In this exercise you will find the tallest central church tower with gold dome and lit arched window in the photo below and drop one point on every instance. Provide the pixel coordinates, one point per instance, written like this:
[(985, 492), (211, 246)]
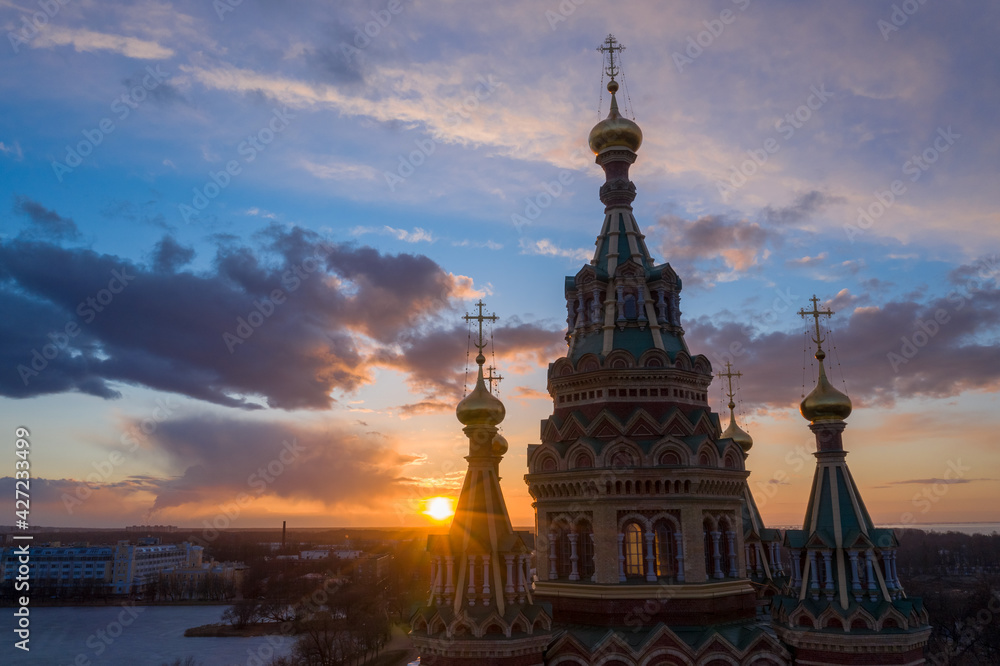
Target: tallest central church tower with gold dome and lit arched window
[(646, 544)]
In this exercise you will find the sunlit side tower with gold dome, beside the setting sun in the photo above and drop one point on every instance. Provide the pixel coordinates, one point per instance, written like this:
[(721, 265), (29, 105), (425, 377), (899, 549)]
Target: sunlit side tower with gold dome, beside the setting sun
[(481, 606)]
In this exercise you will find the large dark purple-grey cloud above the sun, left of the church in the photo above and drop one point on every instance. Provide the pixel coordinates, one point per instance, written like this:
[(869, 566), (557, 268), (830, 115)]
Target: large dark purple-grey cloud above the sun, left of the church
[(214, 335)]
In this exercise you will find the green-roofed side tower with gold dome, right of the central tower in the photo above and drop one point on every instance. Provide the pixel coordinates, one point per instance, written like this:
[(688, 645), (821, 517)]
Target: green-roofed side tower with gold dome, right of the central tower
[(843, 603)]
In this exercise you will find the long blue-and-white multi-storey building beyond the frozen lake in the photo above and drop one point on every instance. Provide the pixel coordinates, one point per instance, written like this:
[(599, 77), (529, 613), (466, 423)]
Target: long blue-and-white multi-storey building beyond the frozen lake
[(120, 569)]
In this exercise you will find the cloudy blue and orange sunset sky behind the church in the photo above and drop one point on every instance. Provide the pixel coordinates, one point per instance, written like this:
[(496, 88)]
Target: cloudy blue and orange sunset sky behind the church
[(358, 174)]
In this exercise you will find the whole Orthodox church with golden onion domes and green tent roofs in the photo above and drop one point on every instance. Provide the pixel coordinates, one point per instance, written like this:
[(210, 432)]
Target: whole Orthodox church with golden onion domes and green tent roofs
[(649, 548)]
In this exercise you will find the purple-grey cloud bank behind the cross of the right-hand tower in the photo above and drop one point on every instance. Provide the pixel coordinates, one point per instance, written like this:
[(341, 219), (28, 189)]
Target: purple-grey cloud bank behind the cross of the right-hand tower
[(940, 347)]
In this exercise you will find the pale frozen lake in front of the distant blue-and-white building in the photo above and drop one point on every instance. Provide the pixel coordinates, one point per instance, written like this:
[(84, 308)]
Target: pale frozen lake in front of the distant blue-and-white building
[(154, 635)]
